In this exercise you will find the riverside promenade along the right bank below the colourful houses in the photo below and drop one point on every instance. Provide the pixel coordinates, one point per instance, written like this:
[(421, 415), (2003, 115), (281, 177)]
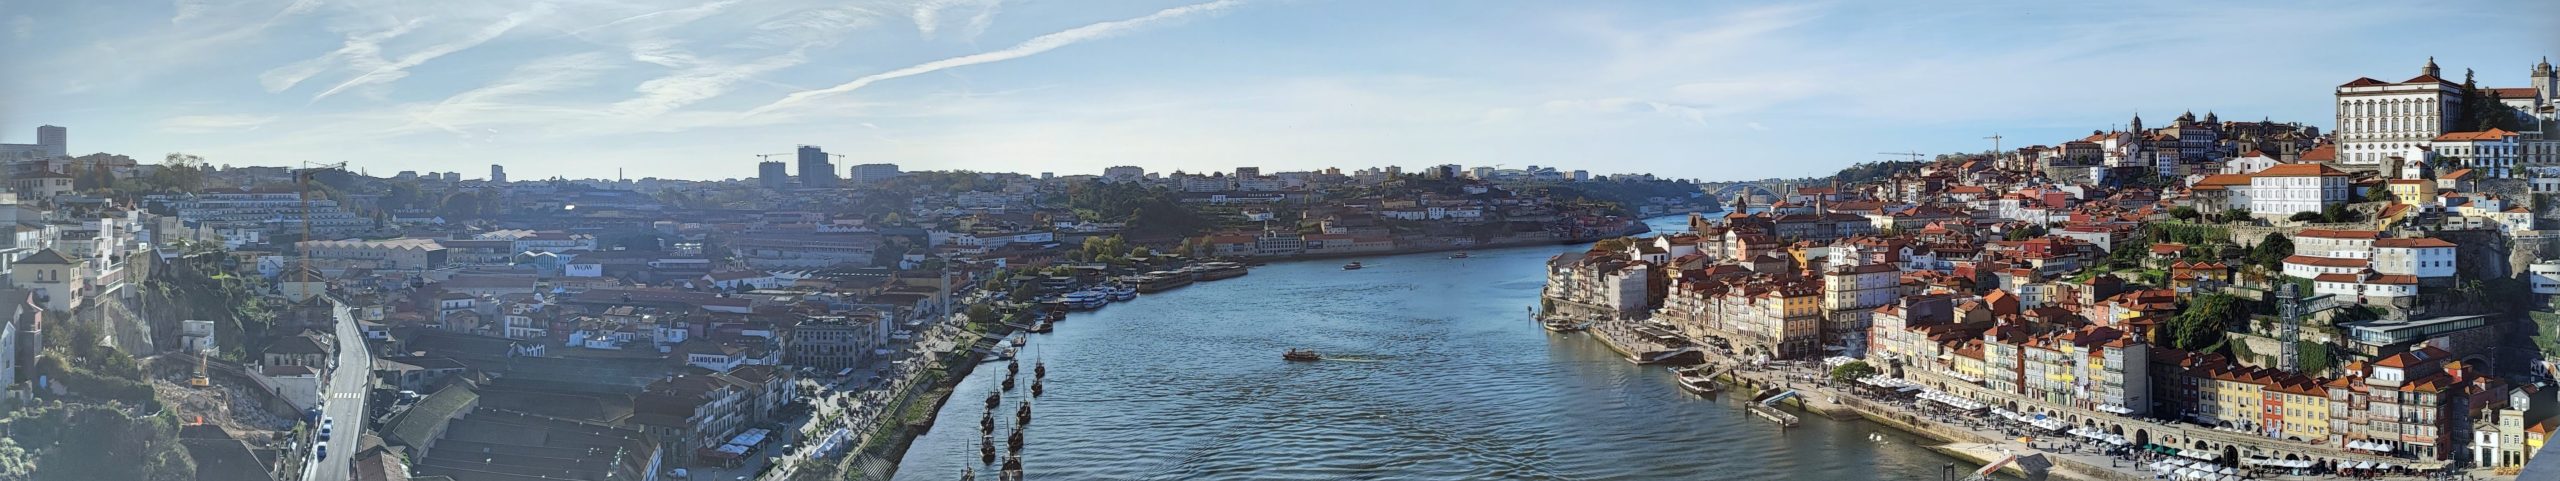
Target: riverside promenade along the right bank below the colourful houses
[(1975, 439)]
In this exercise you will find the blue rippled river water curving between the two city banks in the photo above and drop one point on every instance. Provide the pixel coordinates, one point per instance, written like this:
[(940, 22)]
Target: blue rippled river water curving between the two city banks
[(1432, 372)]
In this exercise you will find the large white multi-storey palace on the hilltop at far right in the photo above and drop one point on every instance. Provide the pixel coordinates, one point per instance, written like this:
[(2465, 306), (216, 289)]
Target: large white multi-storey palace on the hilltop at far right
[(2382, 119)]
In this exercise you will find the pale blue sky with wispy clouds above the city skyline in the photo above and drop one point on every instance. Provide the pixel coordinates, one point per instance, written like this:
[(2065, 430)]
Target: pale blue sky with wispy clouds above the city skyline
[(700, 88)]
